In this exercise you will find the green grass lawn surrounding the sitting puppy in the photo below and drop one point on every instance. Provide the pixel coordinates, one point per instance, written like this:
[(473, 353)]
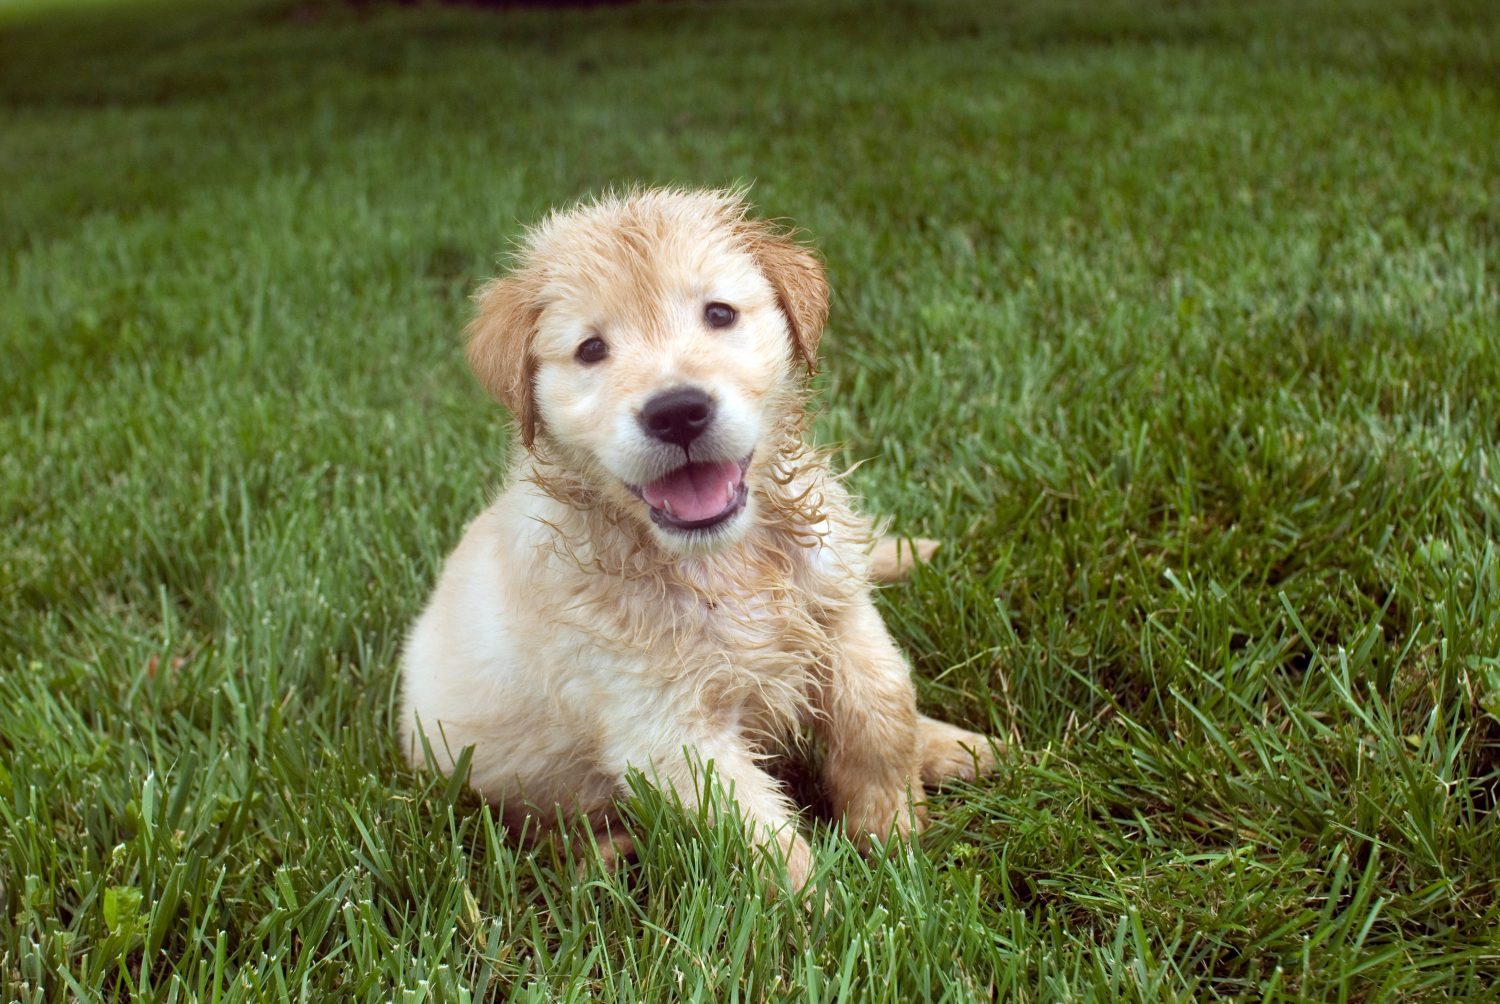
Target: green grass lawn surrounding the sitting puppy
[(1180, 323)]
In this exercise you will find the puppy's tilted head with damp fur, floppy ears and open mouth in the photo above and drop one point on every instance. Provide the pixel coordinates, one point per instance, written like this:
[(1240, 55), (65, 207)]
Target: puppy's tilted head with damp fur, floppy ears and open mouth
[(656, 344)]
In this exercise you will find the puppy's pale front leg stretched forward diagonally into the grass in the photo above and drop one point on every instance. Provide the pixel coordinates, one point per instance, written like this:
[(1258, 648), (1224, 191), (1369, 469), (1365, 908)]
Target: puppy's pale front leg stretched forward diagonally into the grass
[(676, 762)]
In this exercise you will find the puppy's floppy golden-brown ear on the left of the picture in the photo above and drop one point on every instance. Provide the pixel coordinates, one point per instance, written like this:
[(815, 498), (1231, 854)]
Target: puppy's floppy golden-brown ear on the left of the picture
[(500, 349)]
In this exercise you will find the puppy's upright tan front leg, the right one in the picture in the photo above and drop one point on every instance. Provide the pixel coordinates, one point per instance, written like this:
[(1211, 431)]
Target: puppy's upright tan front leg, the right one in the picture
[(868, 717)]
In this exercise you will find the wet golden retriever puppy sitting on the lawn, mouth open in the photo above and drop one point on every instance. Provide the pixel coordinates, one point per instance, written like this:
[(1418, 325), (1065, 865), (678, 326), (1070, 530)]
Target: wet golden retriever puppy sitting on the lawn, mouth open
[(671, 577)]
